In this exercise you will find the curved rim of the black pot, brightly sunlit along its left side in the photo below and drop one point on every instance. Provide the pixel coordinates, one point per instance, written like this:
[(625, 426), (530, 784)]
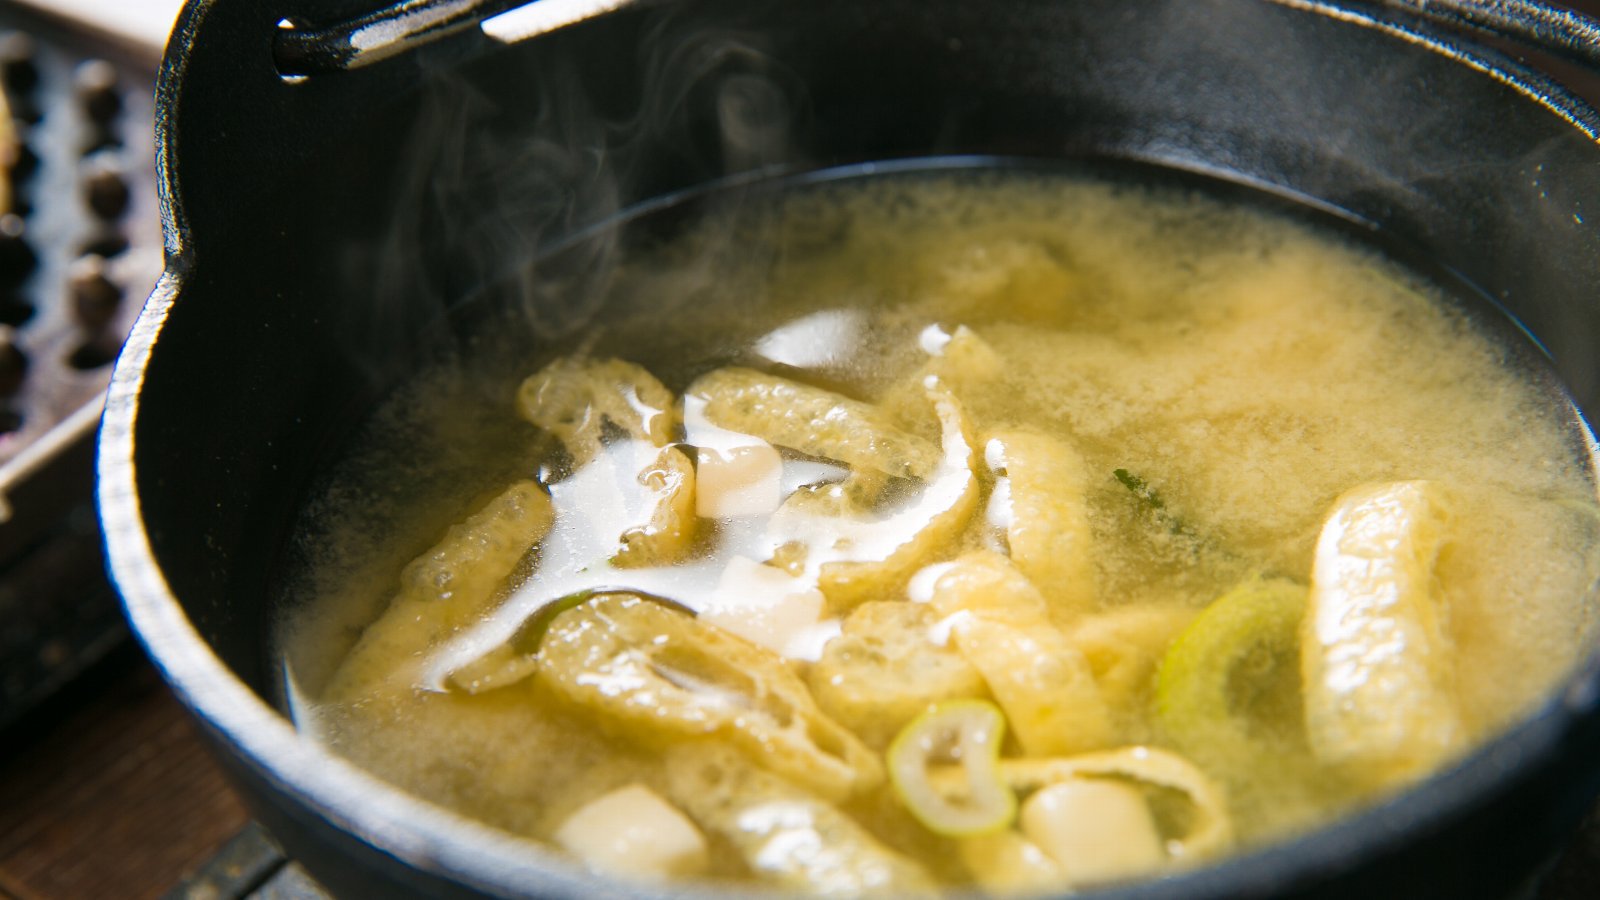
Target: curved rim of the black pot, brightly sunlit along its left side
[(444, 843)]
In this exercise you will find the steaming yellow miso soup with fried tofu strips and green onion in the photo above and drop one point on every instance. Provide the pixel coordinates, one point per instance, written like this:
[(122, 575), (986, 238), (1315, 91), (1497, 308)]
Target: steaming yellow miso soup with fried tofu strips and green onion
[(1010, 532)]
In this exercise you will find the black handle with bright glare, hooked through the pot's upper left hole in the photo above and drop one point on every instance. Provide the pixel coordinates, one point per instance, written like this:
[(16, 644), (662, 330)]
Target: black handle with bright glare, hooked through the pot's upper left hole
[(305, 52)]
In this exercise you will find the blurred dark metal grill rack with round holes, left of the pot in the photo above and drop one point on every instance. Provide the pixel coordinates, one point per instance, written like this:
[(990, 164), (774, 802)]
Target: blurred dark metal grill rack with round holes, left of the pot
[(81, 247)]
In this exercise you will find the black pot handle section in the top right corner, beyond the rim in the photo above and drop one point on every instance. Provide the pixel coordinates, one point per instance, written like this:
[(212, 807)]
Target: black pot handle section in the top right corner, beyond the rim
[(1537, 26)]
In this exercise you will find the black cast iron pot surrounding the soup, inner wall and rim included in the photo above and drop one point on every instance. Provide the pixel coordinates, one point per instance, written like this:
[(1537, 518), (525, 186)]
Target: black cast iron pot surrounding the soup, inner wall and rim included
[(334, 179)]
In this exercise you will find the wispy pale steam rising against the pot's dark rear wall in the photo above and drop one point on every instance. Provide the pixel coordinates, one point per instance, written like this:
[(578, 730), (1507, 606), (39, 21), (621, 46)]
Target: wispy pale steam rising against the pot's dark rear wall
[(511, 198)]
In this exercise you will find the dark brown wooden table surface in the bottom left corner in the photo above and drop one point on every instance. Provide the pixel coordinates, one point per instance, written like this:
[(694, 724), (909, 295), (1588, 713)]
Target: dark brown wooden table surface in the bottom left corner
[(110, 794)]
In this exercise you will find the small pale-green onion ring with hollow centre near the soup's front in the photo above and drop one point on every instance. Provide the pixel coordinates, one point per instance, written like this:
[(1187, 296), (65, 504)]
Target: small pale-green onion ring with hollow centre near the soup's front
[(964, 736)]
